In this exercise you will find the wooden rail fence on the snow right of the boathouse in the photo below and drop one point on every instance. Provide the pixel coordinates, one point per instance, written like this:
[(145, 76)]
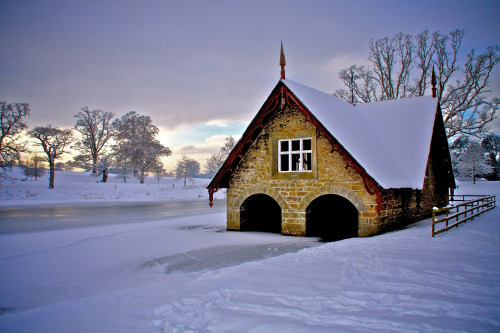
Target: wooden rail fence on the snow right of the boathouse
[(467, 210)]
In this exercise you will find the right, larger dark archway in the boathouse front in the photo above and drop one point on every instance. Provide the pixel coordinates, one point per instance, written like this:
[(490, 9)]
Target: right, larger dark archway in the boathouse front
[(331, 217)]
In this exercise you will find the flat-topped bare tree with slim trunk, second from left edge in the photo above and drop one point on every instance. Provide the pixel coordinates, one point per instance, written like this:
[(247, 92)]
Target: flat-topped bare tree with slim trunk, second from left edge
[(54, 141)]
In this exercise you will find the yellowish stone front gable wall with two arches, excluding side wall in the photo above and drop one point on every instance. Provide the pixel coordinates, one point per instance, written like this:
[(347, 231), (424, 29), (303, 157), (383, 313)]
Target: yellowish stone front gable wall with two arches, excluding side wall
[(294, 191)]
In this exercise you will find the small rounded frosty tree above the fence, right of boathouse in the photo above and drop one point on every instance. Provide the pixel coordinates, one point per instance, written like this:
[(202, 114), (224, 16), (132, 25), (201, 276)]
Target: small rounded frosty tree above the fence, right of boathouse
[(473, 161)]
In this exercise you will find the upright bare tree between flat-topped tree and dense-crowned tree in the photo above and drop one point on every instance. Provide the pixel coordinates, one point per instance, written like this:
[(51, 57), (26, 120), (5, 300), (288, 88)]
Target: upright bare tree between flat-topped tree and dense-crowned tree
[(95, 127)]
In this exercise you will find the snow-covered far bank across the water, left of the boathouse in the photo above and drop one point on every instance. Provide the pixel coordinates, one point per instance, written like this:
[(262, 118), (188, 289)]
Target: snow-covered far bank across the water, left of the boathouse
[(73, 186)]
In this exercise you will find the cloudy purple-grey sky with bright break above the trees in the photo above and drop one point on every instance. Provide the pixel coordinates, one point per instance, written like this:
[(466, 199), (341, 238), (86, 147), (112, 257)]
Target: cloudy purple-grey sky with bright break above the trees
[(201, 69)]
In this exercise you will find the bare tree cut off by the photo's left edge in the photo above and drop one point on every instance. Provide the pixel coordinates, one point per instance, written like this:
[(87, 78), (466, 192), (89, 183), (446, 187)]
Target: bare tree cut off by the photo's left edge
[(12, 123)]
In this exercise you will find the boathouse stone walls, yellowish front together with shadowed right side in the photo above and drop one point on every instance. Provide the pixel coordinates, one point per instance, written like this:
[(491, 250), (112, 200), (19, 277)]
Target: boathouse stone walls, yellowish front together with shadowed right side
[(294, 191)]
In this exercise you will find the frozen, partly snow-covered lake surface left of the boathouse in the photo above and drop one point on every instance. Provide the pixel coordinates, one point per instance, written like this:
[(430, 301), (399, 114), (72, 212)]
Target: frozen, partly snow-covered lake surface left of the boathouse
[(66, 252)]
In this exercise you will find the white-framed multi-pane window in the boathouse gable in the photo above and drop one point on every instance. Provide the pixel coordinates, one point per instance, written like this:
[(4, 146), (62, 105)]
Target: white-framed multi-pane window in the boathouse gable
[(295, 155)]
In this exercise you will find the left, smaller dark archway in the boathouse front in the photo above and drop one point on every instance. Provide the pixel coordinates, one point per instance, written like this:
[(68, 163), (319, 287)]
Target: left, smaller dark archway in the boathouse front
[(260, 212)]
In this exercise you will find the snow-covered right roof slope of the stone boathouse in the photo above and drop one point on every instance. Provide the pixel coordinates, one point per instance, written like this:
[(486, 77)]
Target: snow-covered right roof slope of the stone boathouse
[(390, 139)]
